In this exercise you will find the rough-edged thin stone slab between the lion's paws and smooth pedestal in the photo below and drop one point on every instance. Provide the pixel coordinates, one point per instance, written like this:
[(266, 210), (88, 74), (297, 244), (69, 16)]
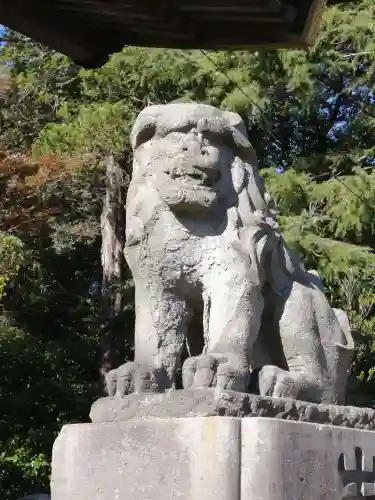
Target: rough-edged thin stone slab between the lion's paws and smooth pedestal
[(209, 402)]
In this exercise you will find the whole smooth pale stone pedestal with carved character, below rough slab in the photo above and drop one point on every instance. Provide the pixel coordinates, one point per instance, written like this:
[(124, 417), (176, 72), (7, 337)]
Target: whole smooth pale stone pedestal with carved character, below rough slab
[(212, 458)]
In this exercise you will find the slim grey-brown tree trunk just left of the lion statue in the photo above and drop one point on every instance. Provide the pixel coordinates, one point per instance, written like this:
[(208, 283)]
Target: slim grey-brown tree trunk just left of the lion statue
[(112, 256)]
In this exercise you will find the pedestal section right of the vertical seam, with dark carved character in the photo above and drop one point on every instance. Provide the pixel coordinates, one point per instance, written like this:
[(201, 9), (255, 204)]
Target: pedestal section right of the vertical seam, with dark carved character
[(288, 460)]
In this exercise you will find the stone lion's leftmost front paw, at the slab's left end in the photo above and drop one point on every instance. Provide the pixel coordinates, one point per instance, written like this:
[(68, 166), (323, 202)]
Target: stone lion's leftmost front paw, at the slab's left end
[(136, 377)]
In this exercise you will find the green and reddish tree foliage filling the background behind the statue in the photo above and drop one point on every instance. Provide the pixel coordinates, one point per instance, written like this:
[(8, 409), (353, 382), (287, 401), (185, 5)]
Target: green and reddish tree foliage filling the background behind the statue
[(311, 118)]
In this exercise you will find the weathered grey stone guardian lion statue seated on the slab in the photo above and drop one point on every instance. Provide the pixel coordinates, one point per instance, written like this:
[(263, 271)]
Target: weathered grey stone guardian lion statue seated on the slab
[(218, 295)]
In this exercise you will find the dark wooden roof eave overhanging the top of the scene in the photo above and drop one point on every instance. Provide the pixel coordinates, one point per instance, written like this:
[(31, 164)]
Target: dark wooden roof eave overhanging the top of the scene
[(90, 30)]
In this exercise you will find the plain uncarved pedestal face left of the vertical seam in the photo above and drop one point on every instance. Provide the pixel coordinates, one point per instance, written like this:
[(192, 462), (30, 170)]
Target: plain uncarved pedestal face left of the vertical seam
[(188, 459)]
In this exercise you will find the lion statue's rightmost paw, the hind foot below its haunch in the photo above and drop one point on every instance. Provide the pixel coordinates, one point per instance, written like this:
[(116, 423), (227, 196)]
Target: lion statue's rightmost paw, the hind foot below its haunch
[(275, 382)]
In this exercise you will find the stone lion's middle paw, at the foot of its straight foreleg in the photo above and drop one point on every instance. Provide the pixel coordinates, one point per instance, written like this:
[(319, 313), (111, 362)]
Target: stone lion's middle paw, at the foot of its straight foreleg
[(215, 370)]
